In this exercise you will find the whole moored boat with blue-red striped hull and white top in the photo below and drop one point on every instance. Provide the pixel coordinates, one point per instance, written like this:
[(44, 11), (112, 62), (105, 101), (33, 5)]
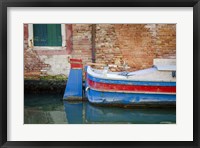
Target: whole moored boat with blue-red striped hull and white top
[(153, 87)]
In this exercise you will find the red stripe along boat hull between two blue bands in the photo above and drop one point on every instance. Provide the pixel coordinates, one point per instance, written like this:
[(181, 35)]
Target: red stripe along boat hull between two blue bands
[(137, 88)]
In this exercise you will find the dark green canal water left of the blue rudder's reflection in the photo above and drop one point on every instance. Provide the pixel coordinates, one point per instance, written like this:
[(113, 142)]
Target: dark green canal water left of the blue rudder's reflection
[(44, 109)]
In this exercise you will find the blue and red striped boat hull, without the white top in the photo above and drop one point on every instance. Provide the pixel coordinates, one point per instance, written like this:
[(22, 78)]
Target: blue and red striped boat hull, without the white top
[(130, 92)]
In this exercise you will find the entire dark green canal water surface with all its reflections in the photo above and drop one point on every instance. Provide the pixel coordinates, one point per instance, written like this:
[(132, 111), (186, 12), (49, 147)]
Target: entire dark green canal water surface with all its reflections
[(51, 109)]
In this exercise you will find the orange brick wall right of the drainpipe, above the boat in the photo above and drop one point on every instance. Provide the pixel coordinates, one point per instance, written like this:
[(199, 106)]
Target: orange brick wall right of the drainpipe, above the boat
[(135, 44)]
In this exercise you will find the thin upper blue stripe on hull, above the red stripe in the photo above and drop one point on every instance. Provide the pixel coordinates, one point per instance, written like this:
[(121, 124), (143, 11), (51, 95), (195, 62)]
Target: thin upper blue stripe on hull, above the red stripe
[(128, 82)]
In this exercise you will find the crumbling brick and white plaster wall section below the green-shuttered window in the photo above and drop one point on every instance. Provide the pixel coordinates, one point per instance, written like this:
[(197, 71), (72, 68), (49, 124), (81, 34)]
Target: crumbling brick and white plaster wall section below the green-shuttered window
[(45, 63)]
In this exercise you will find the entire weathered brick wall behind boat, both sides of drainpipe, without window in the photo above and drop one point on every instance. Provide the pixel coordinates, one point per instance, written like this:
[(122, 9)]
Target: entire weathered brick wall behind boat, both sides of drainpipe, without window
[(135, 44)]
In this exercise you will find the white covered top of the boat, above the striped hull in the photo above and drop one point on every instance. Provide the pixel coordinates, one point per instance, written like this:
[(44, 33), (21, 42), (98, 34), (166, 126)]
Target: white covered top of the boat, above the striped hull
[(162, 71)]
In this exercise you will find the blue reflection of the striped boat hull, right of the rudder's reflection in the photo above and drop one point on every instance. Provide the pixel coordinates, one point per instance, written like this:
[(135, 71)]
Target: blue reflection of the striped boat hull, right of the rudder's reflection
[(96, 114)]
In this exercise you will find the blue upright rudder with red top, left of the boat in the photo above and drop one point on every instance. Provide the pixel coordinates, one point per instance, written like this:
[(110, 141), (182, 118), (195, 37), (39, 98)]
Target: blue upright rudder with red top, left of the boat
[(74, 89)]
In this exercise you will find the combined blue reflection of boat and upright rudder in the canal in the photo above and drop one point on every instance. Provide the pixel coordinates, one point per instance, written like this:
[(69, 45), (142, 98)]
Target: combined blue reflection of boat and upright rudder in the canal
[(86, 113)]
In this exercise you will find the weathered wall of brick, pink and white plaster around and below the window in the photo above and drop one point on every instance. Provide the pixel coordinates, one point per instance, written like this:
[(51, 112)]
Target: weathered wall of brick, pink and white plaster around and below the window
[(39, 62)]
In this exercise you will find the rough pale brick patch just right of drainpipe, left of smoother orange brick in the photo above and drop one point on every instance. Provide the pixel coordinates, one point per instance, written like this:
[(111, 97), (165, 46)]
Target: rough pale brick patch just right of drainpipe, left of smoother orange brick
[(107, 44)]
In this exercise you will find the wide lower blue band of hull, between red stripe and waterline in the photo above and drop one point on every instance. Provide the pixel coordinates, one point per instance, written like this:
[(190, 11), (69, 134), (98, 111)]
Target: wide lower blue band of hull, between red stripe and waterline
[(99, 97)]
